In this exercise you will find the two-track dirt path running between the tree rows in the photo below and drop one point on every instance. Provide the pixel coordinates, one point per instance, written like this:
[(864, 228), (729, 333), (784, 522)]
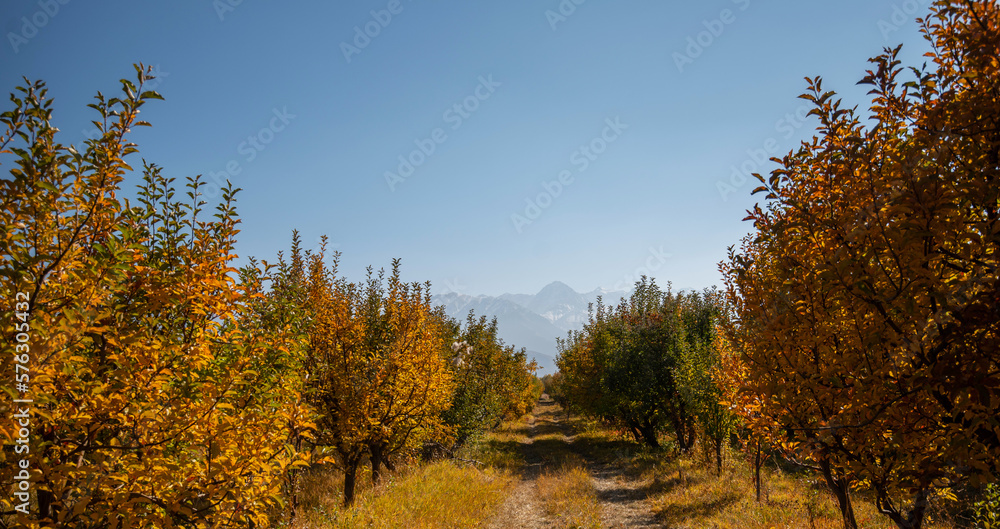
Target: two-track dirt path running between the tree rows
[(622, 497)]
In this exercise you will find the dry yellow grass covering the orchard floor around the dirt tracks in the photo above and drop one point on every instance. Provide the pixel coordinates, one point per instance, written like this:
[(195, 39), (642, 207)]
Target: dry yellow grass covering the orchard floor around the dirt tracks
[(681, 492)]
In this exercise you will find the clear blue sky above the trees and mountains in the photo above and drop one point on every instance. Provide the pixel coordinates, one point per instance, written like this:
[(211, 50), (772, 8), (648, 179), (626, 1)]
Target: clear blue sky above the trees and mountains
[(493, 146)]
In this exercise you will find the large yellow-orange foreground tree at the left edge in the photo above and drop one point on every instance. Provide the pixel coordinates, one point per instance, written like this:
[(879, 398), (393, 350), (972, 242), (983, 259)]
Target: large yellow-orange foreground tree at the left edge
[(152, 403)]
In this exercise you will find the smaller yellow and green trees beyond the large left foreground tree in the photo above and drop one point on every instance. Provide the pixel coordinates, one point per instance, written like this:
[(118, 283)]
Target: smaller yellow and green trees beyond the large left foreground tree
[(388, 372)]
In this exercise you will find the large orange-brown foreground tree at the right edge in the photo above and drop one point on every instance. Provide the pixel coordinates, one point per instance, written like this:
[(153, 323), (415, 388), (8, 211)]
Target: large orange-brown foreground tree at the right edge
[(867, 302)]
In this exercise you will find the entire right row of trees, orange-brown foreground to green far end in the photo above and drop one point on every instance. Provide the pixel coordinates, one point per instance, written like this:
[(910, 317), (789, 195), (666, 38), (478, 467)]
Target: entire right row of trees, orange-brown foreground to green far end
[(859, 331)]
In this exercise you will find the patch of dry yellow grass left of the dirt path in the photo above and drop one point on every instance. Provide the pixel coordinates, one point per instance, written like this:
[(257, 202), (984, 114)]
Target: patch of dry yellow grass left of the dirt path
[(441, 494)]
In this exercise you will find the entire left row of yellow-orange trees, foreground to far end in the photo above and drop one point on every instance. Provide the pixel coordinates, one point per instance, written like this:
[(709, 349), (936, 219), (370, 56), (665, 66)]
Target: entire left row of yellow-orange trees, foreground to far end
[(159, 386)]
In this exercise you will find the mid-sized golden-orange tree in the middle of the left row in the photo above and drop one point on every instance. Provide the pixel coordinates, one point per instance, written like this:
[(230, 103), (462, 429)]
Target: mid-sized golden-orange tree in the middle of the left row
[(376, 372)]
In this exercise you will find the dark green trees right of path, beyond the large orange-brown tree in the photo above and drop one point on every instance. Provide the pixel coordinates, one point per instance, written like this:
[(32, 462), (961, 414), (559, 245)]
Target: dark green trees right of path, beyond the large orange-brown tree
[(646, 366)]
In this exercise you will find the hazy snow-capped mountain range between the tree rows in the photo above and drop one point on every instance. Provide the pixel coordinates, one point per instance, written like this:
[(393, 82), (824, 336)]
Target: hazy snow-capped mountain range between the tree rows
[(532, 321)]
